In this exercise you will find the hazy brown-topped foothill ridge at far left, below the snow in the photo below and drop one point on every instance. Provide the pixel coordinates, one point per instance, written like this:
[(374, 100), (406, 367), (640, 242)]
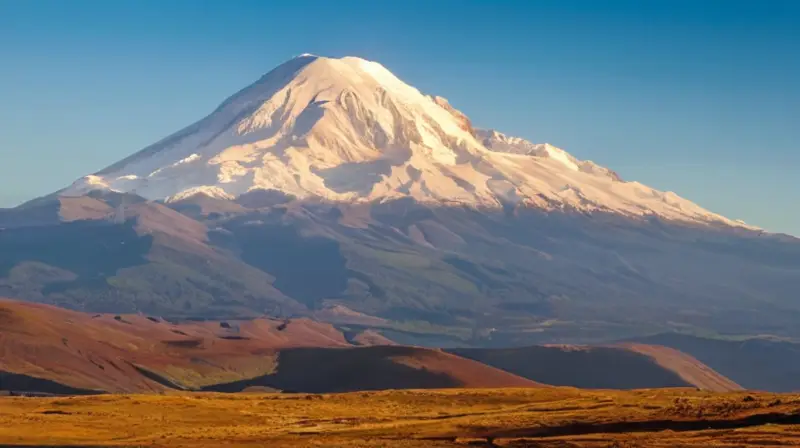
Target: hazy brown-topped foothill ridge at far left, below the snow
[(134, 256)]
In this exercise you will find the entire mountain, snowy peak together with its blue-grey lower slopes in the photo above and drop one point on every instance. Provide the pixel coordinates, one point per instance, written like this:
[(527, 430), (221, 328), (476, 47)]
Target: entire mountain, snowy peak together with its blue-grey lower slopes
[(331, 185)]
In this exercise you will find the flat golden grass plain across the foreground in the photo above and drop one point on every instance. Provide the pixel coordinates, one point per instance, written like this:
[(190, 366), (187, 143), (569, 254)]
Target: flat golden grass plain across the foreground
[(455, 417)]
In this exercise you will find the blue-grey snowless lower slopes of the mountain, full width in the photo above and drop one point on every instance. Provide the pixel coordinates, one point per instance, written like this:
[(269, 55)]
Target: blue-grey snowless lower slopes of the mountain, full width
[(446, 274)]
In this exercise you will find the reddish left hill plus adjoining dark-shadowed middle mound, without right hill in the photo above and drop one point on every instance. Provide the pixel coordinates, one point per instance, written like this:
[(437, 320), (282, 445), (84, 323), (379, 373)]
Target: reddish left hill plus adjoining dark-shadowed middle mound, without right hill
[(49, 349)]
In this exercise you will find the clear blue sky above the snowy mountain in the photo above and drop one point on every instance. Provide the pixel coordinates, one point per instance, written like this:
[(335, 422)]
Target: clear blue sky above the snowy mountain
[(700, 97)]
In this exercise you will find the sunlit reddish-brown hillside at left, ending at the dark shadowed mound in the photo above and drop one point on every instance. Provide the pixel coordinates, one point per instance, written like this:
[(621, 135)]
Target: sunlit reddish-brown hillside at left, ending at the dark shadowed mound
[(131, 353)]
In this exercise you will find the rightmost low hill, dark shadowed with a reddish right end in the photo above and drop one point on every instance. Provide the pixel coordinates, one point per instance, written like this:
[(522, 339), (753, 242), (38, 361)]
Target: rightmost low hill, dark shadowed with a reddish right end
[(629, 366)]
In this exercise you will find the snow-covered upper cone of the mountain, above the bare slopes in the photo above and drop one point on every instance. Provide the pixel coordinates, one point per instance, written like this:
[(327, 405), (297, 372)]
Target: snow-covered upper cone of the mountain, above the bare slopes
[(348, 130)]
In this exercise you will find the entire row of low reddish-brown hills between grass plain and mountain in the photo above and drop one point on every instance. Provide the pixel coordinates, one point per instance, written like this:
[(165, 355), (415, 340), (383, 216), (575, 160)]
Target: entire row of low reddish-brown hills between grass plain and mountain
[(53, 350)]
